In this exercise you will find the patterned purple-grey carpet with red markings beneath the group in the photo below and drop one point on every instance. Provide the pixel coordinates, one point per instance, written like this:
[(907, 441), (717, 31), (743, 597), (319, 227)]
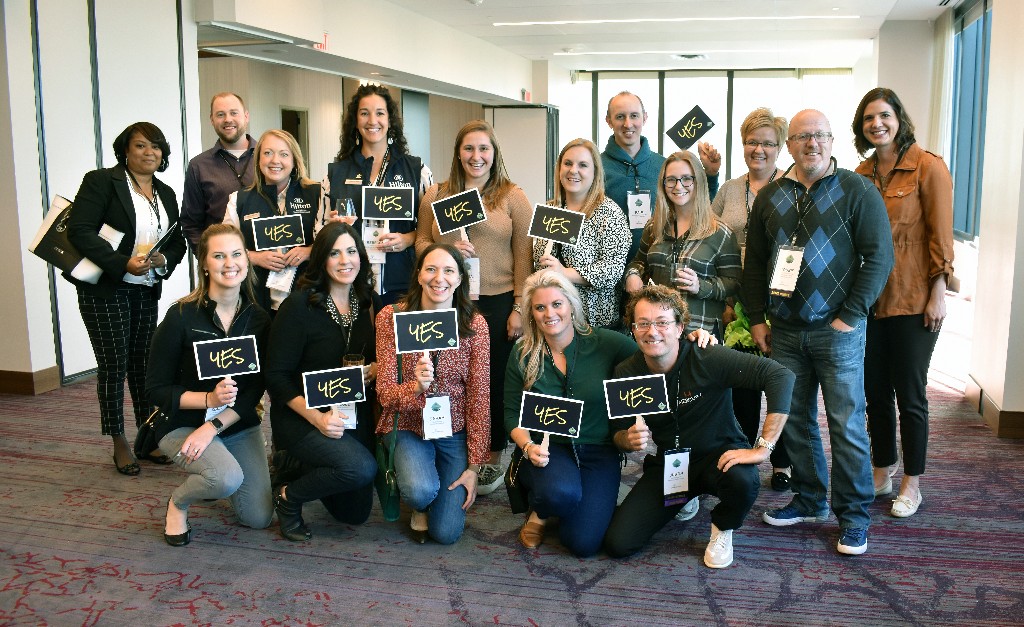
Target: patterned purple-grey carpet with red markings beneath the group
[(81, 546)]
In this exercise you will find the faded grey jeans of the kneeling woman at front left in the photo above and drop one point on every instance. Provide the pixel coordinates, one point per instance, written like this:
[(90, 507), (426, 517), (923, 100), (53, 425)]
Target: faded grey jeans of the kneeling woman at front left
[(232, 468)]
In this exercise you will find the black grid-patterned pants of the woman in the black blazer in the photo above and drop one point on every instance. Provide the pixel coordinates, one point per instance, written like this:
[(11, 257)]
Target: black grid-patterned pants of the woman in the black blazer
[(120, 329)]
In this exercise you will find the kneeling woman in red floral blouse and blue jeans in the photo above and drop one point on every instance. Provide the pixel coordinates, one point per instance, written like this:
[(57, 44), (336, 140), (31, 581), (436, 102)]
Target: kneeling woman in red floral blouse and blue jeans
[(438, 476)]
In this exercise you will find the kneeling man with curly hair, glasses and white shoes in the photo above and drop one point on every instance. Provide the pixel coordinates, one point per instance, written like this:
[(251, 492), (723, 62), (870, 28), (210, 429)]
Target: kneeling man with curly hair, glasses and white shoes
[(700, 432)]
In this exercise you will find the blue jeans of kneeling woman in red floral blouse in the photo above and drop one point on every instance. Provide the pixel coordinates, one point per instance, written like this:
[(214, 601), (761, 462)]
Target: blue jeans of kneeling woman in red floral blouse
[(425, 470)]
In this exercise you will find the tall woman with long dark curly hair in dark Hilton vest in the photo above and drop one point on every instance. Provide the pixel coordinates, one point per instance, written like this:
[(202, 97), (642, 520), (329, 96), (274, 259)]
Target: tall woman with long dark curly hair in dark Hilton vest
[(374, 152)]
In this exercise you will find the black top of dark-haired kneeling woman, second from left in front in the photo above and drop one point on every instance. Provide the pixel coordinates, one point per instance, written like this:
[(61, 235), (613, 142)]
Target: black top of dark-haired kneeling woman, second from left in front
[(306, 339)]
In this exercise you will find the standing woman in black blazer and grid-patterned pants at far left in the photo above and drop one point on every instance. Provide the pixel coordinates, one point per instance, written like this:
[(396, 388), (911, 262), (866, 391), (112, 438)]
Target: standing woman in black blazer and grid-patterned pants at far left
[(119, 214)]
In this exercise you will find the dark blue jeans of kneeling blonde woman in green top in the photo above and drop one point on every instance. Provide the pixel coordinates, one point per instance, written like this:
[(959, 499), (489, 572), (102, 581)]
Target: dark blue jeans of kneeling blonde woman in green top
[(580, 486)]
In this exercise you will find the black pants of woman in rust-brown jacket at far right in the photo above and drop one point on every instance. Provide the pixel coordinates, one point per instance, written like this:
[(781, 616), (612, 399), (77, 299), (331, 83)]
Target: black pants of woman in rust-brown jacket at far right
[(897, 360)]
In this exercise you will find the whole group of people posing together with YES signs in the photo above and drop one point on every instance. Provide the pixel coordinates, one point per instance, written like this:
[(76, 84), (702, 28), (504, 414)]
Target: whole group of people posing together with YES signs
[(803, 258)]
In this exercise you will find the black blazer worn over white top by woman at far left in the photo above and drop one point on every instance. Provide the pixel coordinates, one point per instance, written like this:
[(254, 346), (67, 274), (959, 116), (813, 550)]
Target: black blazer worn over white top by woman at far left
[(105, 198)]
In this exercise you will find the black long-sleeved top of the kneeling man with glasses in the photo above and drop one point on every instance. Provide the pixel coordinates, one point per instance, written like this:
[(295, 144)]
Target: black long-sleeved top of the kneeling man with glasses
[(700, 387)]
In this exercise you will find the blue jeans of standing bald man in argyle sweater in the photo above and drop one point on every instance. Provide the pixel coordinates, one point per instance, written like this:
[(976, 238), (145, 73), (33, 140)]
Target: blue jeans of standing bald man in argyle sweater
[(836, 362)]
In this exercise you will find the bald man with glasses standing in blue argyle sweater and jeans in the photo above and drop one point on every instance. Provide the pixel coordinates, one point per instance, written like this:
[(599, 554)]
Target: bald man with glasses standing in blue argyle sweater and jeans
[(819, 254)]
